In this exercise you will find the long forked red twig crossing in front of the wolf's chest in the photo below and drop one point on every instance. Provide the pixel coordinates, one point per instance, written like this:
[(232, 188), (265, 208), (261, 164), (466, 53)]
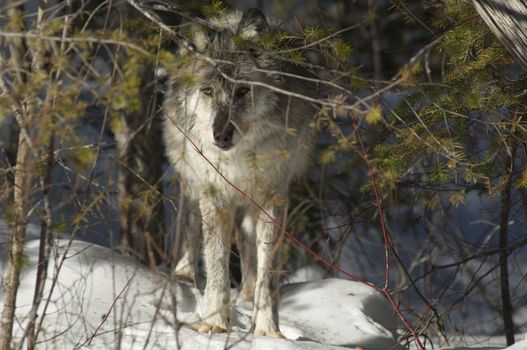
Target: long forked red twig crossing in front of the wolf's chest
[(318, 257)]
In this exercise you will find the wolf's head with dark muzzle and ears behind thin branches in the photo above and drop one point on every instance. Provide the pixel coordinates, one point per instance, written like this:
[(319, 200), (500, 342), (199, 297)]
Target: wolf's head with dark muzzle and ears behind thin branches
[(229, 96)]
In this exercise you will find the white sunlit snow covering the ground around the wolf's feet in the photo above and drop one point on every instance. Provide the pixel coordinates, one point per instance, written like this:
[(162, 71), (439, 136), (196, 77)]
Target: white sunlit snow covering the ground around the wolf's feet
[(102, 299)]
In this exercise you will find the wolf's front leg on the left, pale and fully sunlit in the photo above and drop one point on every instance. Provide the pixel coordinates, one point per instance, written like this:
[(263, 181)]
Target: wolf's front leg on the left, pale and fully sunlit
[(217, 229)]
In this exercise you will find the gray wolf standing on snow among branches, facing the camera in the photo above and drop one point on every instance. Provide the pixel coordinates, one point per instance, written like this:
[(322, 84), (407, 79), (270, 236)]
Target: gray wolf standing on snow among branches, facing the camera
[(225, 119)]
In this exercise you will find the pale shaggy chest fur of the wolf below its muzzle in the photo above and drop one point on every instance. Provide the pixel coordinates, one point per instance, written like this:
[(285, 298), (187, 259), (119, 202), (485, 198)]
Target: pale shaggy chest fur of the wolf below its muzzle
[(258, 169)]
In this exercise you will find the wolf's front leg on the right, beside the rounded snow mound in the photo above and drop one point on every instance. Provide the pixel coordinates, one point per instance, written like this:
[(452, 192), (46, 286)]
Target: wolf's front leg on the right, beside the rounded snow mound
[(265, 317)]
